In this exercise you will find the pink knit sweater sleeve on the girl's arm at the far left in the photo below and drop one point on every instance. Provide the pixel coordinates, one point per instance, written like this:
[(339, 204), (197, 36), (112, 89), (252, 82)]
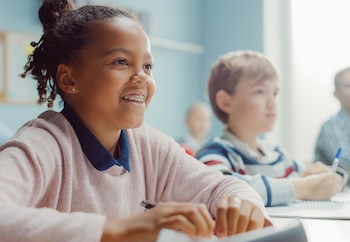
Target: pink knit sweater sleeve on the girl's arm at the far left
[(26, 174)]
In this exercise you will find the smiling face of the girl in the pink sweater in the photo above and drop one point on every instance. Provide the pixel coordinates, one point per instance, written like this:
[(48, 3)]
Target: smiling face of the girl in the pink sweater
[(114, 82)]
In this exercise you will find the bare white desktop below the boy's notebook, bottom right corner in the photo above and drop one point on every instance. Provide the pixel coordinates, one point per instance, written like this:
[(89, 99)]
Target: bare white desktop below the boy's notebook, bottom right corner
[(319, 230)]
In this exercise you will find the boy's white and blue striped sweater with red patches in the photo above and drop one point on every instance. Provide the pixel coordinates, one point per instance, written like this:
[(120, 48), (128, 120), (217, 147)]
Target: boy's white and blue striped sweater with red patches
[(234, 157)]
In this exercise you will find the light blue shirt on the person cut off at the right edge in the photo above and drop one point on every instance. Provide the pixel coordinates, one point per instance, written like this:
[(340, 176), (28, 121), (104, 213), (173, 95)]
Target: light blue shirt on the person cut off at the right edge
[(334, 133)]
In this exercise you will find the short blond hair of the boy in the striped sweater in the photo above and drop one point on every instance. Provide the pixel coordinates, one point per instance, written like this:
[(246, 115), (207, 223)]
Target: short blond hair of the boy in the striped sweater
[(230, 68)]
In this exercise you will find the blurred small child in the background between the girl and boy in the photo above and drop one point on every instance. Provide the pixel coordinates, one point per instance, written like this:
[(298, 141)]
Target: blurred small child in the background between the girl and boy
[(198, 124)]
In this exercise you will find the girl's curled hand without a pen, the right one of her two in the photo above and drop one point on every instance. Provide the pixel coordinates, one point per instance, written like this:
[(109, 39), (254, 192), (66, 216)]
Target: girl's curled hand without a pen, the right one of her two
[(236, 215)]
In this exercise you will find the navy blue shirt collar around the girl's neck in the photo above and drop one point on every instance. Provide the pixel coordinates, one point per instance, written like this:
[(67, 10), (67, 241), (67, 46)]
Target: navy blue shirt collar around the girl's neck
[(99, 157)]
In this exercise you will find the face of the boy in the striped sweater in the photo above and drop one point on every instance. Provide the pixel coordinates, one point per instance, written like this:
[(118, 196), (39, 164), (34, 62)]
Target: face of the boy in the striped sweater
[(253, 106)]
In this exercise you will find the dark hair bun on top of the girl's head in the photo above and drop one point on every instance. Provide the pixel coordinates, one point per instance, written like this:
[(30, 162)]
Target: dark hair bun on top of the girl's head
[(51, 10)]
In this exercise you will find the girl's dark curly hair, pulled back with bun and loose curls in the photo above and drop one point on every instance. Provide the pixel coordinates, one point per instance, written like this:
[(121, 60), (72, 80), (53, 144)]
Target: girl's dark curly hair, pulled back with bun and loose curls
[(66, 31)]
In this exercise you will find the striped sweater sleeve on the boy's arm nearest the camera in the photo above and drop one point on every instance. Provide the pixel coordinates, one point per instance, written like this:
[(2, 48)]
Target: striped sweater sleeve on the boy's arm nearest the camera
[(273, 191)]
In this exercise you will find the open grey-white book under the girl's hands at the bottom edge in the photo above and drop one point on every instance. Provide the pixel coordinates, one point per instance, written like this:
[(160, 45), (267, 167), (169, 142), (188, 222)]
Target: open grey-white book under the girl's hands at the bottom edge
[(290, 232)]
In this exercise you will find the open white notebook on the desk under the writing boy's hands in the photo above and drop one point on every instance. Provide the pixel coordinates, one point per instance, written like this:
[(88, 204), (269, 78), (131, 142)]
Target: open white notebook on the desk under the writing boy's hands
[(338, 208)]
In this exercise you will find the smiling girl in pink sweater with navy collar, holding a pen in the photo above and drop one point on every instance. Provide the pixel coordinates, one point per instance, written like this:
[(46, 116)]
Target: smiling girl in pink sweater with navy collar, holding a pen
[(82, 173)]
